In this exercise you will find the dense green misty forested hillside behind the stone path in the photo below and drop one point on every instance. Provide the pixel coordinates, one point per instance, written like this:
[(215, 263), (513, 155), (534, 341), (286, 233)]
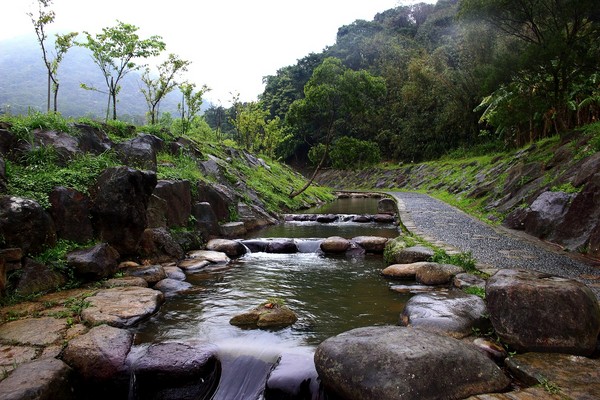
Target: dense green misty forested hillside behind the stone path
[(419, 81)]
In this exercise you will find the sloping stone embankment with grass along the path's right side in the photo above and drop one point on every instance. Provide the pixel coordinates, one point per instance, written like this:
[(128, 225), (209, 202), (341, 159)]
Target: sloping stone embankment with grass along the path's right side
[(548, 190)]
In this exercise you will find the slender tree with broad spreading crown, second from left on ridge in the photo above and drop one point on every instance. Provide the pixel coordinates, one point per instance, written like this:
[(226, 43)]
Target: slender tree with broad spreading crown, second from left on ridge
[(115, 51)]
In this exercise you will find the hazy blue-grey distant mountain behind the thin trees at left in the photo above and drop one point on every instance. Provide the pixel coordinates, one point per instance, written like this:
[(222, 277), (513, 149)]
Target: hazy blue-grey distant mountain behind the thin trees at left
[(23, 84)]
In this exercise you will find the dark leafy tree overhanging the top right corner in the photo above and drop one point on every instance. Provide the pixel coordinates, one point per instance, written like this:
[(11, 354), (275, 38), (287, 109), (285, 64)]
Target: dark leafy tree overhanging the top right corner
[(556, 39)]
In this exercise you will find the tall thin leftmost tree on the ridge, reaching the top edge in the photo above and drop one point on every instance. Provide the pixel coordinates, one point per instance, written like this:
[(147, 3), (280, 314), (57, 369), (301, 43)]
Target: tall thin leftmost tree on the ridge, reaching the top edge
[(62, 44)]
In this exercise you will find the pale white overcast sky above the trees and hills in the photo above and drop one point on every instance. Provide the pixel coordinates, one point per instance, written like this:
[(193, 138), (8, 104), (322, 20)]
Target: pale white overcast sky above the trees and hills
[(232, 43)]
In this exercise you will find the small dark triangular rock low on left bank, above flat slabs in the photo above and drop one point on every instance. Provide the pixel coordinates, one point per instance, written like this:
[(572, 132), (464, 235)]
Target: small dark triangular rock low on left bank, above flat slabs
[(36, 277)]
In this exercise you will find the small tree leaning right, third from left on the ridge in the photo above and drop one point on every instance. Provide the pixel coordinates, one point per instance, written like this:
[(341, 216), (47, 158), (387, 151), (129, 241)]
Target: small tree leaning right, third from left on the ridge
[(157, 88)]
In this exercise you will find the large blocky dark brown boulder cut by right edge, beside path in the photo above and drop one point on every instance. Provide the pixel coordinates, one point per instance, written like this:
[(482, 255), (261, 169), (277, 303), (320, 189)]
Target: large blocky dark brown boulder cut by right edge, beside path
[(531, 311)]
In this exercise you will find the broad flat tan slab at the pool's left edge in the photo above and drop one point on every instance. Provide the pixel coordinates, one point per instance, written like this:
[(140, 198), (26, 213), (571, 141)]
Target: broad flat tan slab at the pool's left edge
[(122, 307)]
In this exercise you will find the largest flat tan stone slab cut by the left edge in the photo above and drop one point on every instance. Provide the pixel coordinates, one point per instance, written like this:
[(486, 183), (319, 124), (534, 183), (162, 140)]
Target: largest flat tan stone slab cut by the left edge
[(33, 331)]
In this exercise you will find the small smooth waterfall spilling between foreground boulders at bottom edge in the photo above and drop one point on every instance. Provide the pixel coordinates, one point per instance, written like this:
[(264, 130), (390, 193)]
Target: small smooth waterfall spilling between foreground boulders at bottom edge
[(244, 370)]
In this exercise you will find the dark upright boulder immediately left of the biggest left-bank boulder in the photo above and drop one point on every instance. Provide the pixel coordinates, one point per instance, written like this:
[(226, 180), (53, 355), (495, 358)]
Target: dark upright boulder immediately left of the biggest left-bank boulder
[(70, 211)]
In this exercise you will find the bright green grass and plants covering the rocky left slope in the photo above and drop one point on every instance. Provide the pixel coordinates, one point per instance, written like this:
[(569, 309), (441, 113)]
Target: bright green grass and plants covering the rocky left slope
[(38, 171)]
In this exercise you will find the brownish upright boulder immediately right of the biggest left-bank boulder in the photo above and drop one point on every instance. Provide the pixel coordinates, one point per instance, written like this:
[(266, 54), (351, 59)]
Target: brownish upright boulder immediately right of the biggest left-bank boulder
[(179, 201)]
